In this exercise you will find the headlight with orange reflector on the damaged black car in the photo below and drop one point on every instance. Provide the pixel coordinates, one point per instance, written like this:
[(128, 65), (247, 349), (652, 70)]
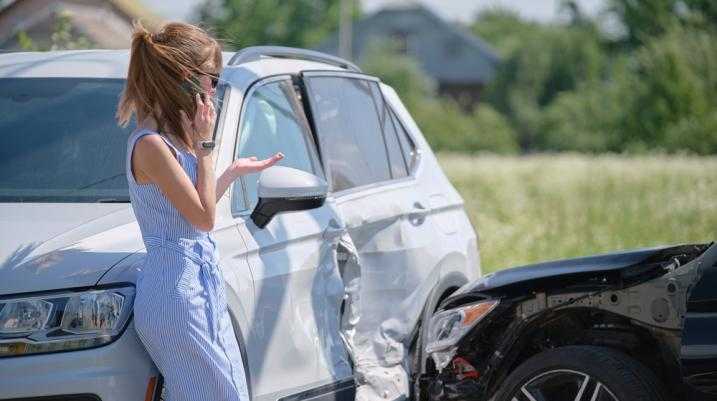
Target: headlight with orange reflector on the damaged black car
[(447, 327)]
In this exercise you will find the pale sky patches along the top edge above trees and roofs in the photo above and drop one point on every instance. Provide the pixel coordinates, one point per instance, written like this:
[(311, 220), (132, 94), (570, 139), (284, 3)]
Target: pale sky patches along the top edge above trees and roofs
[(461, 10)]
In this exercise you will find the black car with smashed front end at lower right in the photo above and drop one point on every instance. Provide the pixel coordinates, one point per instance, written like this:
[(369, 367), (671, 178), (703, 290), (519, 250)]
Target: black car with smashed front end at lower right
[(635, 325)]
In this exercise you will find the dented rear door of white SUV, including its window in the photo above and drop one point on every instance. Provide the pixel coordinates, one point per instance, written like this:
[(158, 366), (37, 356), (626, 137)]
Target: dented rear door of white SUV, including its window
[(373, 183)]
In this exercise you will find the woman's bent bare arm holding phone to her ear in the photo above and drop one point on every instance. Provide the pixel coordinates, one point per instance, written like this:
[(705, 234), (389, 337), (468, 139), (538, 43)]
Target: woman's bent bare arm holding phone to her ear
[(154, 159)]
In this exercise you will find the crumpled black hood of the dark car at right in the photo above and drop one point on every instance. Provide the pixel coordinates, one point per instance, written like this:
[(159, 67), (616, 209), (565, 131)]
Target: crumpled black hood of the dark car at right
[(629, 267)]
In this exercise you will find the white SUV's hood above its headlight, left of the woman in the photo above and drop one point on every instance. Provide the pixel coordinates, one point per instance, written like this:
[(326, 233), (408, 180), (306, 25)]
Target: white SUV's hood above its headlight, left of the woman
[(46, 246)]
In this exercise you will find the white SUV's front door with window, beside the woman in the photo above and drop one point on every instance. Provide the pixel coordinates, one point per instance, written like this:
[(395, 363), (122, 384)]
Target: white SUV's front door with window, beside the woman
[(293, 343)]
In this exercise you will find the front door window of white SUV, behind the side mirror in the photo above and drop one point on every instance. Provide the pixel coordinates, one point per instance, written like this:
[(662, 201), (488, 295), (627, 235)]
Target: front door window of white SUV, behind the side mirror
[(273, 121)]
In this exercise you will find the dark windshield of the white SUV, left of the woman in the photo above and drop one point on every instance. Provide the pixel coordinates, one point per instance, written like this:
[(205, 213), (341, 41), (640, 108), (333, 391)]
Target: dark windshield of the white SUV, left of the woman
[(60, 141)]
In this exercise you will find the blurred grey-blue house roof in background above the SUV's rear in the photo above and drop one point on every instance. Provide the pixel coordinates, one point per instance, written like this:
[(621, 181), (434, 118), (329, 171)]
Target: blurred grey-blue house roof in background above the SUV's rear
[(447, 52)]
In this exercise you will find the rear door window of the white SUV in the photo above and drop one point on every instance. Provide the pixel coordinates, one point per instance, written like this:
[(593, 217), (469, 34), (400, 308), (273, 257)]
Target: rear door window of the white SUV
[(349, 131)]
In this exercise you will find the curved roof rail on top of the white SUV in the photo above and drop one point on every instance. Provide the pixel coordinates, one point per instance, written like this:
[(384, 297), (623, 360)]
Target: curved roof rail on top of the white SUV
[(254, 53)]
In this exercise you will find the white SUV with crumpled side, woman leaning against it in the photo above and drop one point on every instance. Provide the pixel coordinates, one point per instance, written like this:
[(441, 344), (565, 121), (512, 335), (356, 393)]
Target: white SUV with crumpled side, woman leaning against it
[(358, 181)]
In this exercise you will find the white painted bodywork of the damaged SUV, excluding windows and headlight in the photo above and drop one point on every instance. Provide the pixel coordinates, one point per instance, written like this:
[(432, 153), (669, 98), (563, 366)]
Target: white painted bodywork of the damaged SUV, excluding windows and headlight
[(411, 238)]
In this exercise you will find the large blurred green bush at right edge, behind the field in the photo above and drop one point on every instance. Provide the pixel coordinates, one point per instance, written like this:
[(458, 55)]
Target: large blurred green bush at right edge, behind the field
[(659, 98)]
